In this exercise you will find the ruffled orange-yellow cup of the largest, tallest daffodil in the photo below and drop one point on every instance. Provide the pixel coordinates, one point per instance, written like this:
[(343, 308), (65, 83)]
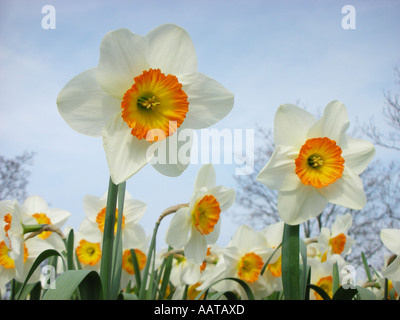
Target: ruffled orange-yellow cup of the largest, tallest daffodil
[(154, 102)]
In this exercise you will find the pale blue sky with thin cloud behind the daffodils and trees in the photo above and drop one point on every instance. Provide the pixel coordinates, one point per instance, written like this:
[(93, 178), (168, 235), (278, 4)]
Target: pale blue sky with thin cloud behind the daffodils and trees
[(266, 52)]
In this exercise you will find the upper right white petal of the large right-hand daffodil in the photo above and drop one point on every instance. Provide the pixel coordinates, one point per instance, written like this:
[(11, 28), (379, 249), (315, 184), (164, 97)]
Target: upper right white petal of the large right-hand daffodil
[(333, 123)]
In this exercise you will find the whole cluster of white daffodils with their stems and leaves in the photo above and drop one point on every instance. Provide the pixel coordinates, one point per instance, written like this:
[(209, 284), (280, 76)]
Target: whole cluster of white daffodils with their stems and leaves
[(145, 95)]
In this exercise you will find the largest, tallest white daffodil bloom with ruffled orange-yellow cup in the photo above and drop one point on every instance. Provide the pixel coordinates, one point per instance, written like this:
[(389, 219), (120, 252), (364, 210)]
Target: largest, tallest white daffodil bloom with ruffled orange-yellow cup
[(143, 91)]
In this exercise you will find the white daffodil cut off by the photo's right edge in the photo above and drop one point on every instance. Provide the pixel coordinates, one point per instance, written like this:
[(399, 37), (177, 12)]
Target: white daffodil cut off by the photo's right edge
[(391, 240)]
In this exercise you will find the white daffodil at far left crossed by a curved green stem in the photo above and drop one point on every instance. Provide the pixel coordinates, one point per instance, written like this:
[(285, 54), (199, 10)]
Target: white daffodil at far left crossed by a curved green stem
[(38, 210)]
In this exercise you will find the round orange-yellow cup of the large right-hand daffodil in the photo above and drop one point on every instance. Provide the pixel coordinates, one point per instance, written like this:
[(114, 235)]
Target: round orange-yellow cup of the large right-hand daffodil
[(319, 162)]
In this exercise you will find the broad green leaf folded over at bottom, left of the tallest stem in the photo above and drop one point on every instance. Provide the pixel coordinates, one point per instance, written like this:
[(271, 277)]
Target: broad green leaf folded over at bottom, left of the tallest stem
[(87, 281)]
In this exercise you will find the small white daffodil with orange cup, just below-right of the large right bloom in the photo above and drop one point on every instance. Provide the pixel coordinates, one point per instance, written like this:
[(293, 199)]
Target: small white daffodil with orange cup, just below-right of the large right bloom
[(336, 240)]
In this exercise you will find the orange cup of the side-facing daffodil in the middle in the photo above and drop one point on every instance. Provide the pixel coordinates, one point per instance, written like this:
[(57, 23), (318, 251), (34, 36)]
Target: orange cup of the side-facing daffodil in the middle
[(206, 214)]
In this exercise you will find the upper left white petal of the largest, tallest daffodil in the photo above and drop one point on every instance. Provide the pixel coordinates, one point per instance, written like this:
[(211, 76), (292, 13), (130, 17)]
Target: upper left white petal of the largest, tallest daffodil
[(122, 57)]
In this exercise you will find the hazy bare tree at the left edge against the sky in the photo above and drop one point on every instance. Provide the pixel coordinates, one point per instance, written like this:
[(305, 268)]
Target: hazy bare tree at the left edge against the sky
[(14, 176)]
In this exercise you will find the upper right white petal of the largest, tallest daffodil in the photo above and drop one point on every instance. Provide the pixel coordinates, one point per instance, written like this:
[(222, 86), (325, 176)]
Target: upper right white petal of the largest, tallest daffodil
[(171, 50)]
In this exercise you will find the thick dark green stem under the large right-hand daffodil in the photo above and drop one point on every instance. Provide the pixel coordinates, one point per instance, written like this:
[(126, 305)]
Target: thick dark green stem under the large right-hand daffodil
[(291, 262)]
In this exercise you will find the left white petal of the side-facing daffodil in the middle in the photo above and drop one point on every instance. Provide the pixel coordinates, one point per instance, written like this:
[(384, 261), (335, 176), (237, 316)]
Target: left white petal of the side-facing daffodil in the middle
[(178, 231)]
